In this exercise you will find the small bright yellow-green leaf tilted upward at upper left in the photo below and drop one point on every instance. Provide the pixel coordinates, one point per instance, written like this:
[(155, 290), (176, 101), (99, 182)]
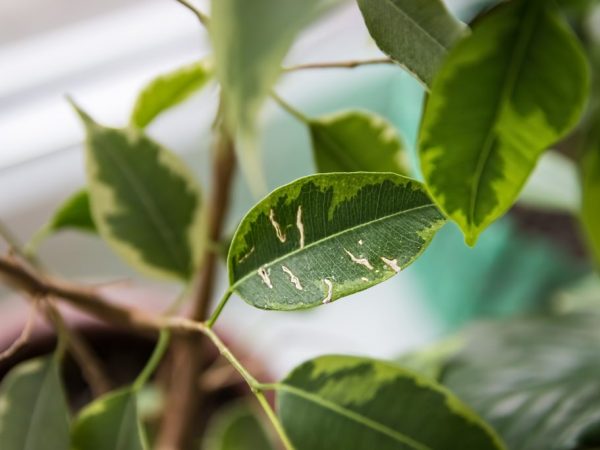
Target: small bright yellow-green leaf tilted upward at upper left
[(169, 90)]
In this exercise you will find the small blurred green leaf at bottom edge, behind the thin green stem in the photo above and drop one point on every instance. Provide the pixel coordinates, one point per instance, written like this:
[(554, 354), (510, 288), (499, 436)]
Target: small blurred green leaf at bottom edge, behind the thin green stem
[(237, 428)]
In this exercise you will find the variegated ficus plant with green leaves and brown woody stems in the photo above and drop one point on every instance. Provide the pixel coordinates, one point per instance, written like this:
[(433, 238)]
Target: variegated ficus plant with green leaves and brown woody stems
[(516, 81)]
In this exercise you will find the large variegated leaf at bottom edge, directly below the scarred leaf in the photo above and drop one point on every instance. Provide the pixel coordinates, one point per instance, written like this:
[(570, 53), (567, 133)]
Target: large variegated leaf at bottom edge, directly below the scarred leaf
[(355, 403)]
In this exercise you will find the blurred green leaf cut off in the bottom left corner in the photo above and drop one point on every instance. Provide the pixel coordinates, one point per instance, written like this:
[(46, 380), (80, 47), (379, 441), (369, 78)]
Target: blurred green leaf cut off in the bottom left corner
[(33, 410)]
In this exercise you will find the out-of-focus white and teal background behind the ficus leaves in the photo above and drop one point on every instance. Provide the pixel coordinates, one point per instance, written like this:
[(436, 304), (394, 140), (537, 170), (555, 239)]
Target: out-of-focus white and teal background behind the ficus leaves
[(103, 52)]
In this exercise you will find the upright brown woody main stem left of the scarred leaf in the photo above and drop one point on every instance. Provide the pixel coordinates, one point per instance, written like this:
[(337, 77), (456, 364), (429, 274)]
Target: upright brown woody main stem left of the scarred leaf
[(185, 396)]
